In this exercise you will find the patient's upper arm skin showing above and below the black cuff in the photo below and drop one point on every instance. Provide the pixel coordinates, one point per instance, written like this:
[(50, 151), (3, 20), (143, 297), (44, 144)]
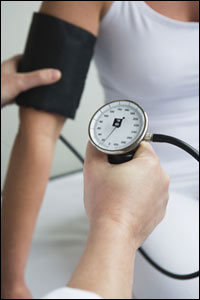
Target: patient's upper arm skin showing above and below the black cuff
[(85, 14)]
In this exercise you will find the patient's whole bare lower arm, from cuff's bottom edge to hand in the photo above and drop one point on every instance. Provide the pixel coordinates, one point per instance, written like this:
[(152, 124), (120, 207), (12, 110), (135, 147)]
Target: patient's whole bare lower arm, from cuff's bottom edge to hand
[(25, 185)]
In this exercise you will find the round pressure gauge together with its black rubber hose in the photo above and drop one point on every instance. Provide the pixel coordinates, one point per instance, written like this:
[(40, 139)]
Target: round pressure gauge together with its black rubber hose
[(117, 128)]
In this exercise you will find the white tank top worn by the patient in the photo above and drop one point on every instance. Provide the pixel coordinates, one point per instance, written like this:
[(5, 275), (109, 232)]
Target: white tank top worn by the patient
[(154, 60)]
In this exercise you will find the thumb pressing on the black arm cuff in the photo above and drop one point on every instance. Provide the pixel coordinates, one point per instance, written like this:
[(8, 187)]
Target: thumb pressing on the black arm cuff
[(38, 78)]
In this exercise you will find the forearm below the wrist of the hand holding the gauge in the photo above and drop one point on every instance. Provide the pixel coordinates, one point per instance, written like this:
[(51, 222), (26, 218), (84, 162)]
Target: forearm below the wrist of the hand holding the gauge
[(106, 267)]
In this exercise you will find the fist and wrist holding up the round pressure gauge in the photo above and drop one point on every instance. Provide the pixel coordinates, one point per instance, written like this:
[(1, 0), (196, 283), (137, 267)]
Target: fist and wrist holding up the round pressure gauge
[(122, 213)]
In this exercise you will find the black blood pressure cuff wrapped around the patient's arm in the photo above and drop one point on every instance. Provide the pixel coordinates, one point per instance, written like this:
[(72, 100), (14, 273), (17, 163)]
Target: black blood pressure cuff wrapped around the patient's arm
[(54, 43)]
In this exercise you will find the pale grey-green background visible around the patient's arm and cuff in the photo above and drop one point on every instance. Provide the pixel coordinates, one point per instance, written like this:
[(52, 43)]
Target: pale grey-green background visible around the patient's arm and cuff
[(15, 21)]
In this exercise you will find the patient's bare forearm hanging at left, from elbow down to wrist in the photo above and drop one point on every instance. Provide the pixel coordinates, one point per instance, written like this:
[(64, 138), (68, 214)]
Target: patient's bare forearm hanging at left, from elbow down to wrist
[(23, 193)]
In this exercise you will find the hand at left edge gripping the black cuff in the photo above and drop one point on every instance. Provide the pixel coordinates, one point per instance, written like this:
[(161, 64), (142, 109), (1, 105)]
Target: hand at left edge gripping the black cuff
[(13, 83)]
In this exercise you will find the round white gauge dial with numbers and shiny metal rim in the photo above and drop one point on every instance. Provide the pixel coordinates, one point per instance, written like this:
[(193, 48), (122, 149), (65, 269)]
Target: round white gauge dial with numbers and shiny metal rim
[(118, 127)]
